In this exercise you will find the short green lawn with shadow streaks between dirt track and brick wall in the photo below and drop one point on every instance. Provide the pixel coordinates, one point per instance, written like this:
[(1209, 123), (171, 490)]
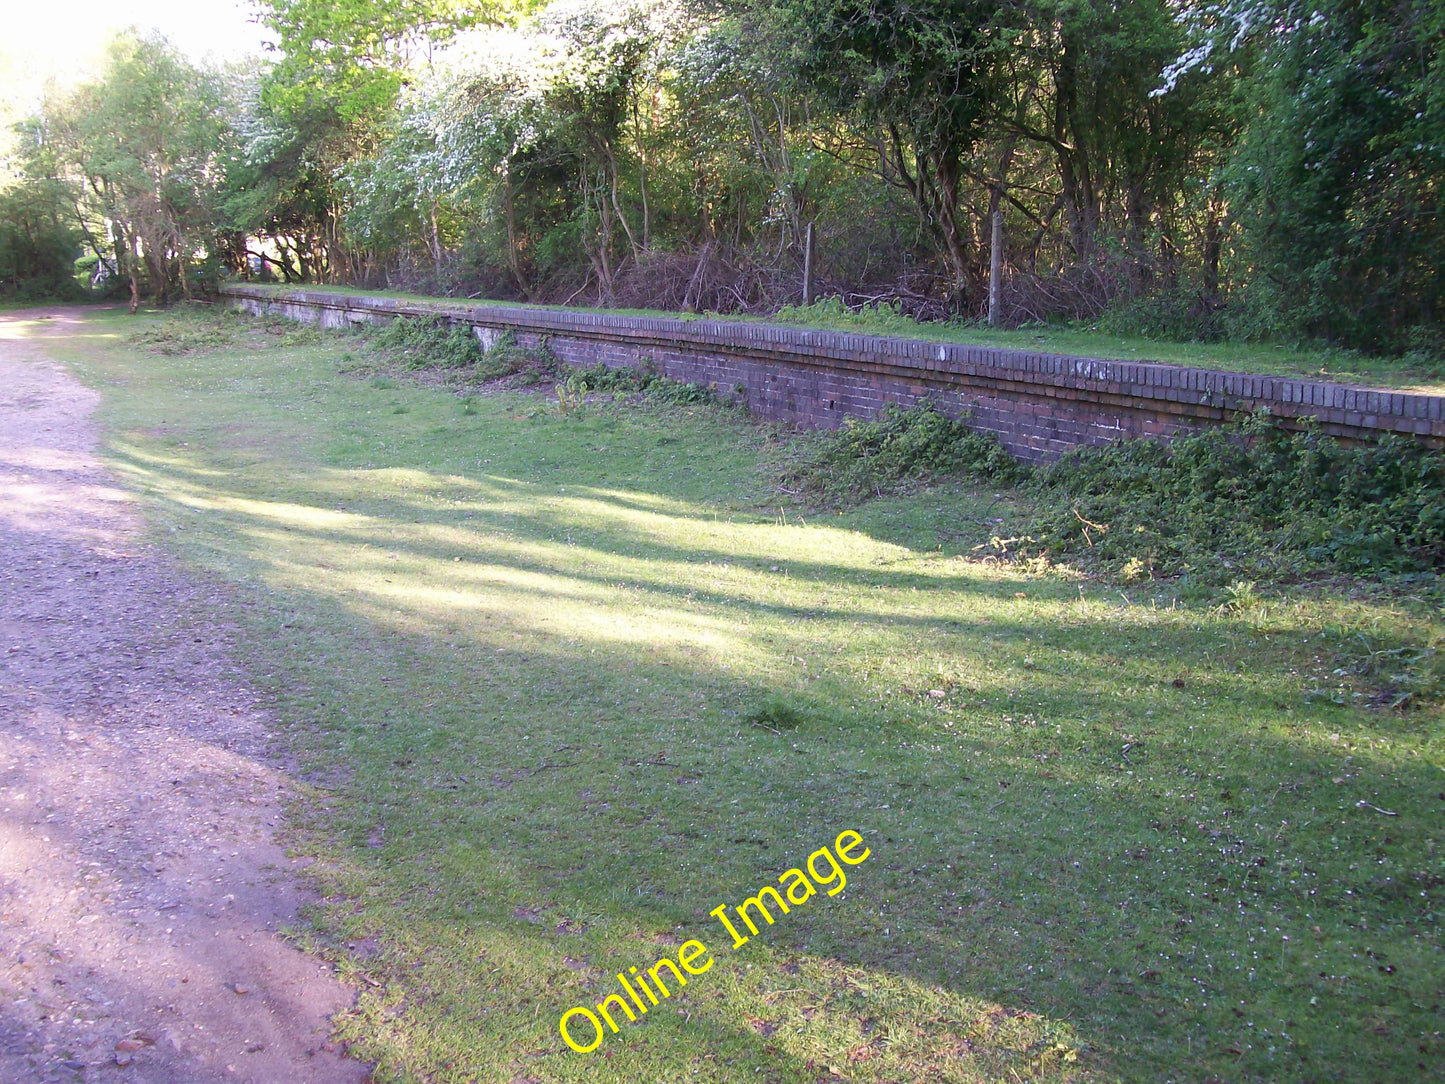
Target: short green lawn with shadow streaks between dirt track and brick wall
[(519, 655)]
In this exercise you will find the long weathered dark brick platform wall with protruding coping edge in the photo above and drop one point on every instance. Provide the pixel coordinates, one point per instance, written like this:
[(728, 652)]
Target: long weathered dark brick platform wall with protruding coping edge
[(1038, 405)]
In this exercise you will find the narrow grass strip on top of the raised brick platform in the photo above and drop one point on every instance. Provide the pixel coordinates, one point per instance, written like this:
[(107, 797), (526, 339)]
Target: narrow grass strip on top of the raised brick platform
[(1272, 359)]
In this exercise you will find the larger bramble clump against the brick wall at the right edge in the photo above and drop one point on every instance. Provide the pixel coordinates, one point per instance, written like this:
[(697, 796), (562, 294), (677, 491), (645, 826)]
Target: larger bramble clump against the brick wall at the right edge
[(1252, 501)]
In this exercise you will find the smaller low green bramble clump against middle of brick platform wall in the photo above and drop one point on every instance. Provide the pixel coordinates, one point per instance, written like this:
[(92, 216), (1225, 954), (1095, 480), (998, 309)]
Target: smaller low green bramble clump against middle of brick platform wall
[(860, 460)]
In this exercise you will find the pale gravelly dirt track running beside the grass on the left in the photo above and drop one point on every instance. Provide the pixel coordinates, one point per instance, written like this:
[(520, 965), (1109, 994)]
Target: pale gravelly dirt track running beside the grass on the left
[(141, 887)]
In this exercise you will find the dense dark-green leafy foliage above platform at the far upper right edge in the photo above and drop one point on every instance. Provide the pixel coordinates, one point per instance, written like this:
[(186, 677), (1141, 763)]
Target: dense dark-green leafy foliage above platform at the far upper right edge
[(1337, 180)]
